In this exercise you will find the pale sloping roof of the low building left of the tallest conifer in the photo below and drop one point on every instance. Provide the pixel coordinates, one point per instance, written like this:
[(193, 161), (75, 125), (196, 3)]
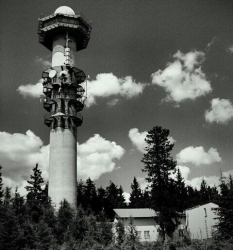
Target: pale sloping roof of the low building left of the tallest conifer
[(134, 212)]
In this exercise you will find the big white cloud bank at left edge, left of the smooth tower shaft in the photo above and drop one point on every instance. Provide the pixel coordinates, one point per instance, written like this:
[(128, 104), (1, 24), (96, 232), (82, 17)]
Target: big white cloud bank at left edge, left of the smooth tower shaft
[(19, 153)]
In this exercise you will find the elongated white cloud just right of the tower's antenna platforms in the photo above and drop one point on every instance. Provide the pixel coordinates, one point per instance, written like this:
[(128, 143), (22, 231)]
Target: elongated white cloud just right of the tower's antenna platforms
[(107, 84)]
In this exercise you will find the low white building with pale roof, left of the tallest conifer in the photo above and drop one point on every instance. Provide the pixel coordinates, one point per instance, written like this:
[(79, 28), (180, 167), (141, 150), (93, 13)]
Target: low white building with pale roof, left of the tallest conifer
[(144, 221)]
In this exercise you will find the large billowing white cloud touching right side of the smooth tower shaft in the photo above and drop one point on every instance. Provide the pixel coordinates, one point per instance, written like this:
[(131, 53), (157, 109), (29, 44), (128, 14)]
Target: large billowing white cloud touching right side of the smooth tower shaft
[(96, 156)]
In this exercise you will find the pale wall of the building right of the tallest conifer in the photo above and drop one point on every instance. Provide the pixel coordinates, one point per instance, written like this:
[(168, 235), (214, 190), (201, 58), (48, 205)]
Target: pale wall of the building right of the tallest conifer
[(200, 221)]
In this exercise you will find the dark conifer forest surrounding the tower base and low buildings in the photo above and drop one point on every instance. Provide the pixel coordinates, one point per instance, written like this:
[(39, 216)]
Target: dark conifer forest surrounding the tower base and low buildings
[(32, 223)]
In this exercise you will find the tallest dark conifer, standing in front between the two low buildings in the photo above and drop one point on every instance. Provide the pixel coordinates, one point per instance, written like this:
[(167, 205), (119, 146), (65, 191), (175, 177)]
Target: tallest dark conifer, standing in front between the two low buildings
[(158, 164)]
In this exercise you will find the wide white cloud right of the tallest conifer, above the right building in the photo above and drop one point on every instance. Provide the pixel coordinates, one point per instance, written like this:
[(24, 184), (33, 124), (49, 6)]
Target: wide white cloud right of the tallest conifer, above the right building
[(198, 156)]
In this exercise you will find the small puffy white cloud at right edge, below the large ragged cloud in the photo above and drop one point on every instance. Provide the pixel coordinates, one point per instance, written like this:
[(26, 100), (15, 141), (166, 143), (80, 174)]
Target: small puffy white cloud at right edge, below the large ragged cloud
[(221, 111)]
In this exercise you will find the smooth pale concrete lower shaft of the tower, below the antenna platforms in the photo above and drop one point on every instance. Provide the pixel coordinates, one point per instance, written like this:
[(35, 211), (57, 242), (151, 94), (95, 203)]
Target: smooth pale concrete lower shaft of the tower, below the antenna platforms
[(62, 166)]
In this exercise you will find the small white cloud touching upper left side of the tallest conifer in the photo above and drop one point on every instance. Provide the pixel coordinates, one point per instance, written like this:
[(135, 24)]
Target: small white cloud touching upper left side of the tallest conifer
[(138, 139)]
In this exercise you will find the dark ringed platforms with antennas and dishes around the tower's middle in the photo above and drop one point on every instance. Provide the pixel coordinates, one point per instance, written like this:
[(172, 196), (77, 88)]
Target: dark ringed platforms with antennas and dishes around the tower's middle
[(64, 96)]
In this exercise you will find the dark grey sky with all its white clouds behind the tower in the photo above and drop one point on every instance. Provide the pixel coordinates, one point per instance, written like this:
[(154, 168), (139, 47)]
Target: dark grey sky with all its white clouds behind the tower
[(150, 63)]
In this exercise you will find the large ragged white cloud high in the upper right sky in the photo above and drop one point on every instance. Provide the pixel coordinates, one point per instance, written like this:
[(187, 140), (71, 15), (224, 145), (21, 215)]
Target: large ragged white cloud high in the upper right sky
[(183, 79)]
